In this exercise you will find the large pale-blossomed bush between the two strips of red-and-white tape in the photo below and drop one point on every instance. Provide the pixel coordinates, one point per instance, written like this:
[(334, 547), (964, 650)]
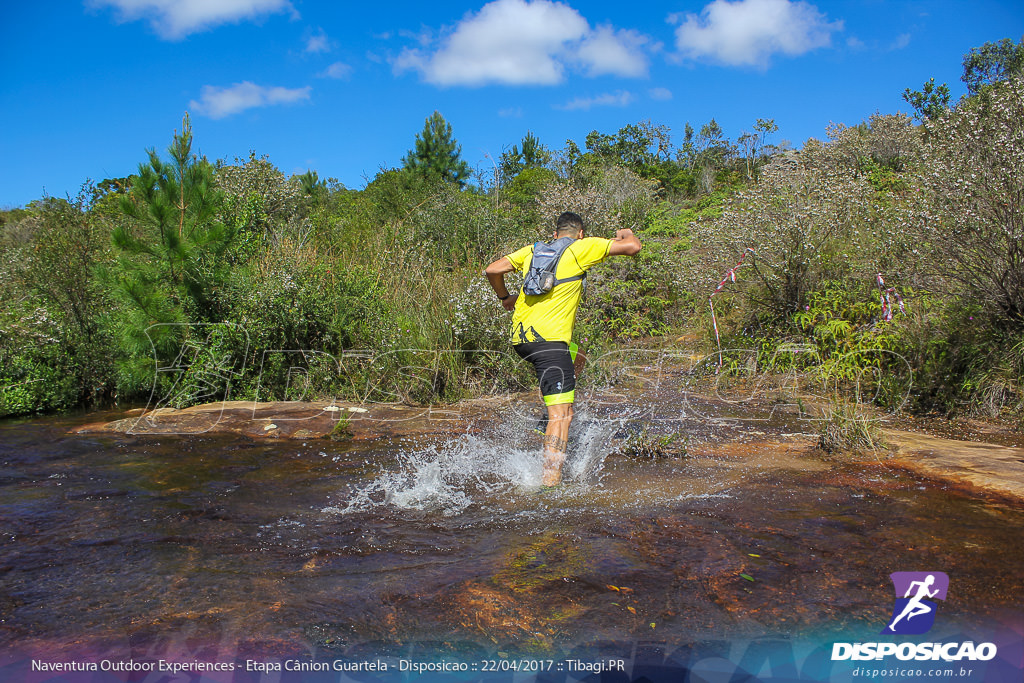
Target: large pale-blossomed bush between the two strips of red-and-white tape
[(815, 217)]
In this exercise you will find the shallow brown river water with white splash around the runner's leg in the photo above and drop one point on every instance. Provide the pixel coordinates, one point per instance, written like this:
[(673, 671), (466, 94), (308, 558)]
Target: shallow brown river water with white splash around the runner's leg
[(285, 548)]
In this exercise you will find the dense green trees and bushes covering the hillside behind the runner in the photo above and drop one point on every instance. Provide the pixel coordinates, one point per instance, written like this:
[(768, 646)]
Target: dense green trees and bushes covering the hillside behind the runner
[(194, 281)]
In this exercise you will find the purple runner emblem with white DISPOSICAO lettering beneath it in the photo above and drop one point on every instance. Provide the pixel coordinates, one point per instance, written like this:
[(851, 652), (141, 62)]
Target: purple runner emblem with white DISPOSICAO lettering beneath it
[(914, 614)]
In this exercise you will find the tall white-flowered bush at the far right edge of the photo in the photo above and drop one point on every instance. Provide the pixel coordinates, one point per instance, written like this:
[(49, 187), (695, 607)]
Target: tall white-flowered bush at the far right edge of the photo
[(968, 224)]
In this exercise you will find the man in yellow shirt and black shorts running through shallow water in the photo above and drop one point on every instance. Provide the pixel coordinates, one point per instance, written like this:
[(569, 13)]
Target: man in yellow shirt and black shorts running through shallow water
[(542, 326)]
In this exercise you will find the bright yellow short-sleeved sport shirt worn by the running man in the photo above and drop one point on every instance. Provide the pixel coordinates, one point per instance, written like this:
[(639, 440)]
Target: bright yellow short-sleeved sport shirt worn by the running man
[(551, 317)]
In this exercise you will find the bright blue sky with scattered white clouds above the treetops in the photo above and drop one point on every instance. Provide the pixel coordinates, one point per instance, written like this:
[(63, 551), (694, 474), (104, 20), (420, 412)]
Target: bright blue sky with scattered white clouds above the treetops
[(344, 89)]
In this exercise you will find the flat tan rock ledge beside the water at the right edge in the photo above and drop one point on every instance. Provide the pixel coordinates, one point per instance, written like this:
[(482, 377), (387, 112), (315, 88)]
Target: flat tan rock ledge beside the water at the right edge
[(986, 468)]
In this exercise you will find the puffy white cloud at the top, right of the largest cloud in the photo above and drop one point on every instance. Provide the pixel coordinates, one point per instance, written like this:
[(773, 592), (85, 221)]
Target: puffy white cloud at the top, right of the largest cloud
[(750, 32)]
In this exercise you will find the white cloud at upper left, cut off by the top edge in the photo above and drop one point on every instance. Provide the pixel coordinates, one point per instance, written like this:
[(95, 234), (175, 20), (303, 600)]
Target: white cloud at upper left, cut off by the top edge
[(174, 20)]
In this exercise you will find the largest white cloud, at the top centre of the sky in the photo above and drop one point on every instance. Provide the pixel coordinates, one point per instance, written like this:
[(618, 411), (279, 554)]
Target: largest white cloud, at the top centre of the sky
[(526, 42)]
